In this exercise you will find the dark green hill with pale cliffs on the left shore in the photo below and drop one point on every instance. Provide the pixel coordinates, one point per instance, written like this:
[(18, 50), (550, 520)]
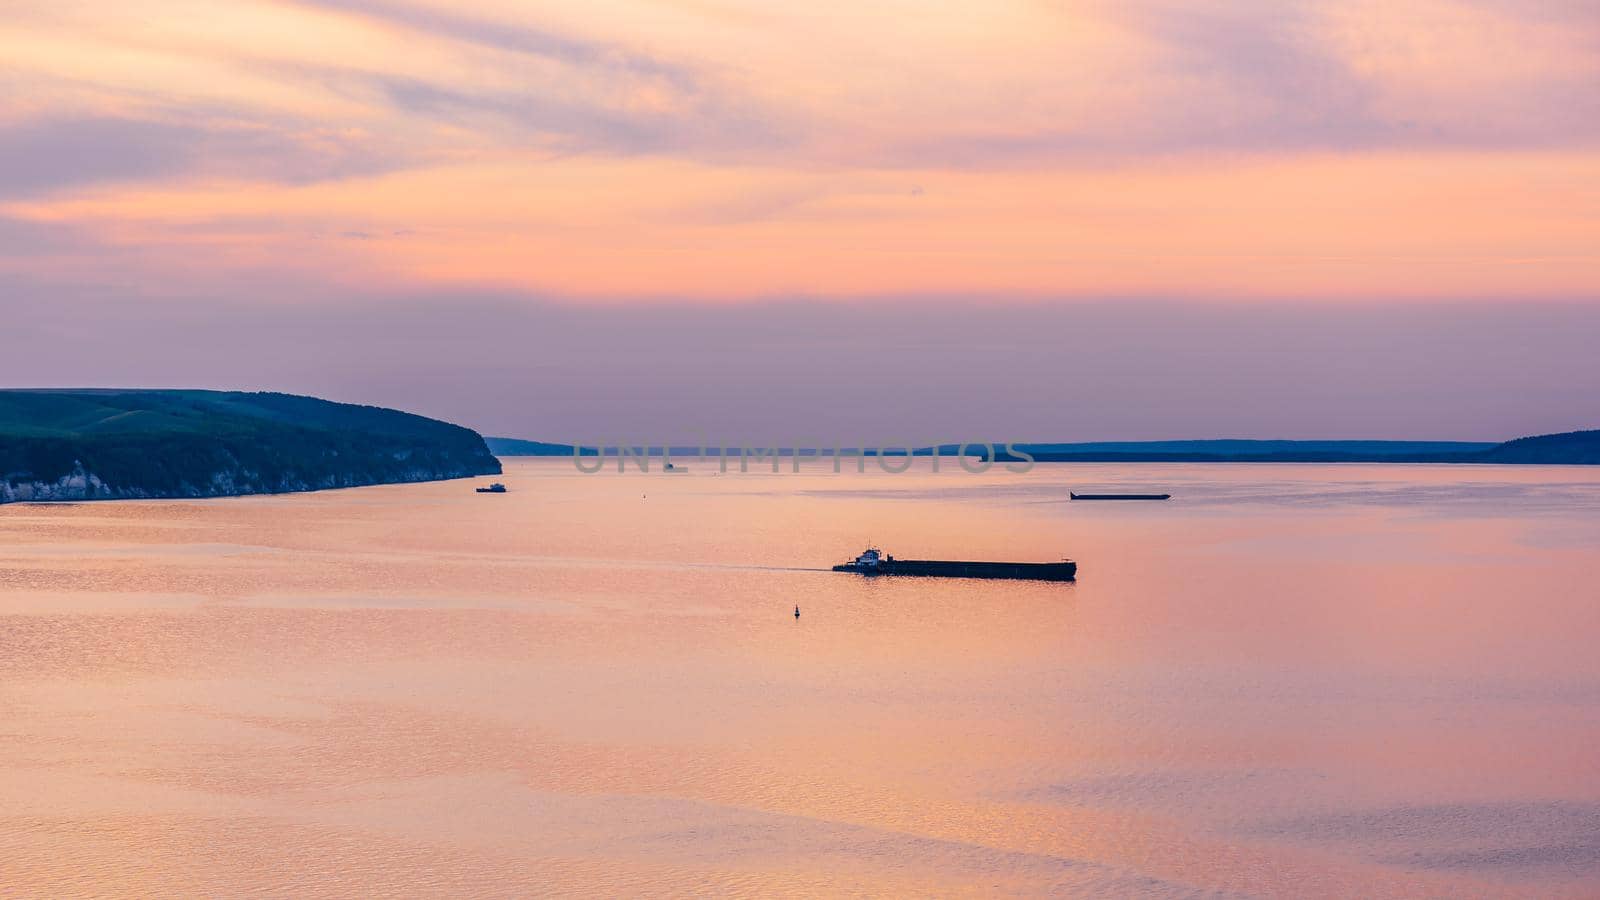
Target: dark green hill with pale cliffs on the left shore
[(121, 444)]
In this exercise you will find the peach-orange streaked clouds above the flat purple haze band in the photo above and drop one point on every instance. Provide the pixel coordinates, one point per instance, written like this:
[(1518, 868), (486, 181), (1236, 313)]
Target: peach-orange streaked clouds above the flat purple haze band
[(636, 150)]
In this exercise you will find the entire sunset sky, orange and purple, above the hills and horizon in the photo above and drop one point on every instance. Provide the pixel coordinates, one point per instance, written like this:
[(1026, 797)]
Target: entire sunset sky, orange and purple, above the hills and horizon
[(879, 222)]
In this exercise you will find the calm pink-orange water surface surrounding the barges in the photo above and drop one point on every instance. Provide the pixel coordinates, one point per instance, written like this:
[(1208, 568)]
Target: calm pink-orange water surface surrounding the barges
[(1295, 681)]
